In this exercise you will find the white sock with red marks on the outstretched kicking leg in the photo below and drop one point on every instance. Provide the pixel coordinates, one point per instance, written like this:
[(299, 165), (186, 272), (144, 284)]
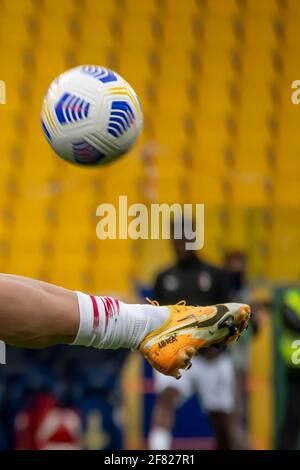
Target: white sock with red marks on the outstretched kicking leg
[(107, 323)]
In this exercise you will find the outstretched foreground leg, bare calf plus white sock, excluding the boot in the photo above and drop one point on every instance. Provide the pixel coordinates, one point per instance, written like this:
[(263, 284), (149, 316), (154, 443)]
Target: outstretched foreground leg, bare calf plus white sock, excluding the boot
[(37, 314)]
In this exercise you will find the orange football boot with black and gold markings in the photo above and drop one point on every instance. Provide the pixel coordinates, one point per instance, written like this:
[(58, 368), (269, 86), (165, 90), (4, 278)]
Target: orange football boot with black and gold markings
[(188, 329)]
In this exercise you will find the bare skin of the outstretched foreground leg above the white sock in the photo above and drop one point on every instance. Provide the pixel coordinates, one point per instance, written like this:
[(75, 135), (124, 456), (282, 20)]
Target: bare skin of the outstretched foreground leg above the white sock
[(33, 315)]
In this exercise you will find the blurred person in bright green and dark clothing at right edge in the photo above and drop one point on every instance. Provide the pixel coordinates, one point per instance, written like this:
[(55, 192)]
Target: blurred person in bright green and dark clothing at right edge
[(290, 332)]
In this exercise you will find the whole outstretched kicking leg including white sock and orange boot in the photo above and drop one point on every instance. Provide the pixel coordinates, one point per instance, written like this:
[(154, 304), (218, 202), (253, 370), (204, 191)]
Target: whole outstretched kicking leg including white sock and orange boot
[(37, 314)]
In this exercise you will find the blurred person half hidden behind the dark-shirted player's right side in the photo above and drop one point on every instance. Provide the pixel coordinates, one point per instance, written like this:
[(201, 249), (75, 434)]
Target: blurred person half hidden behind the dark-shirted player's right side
[(236, 266)]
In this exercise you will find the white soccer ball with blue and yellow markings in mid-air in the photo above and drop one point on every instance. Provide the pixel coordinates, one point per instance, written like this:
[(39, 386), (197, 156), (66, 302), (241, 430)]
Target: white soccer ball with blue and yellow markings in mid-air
[(91, 115)]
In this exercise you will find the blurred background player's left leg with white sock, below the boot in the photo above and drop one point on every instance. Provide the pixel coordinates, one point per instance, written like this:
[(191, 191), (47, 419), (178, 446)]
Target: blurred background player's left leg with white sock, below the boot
[(170, 394)]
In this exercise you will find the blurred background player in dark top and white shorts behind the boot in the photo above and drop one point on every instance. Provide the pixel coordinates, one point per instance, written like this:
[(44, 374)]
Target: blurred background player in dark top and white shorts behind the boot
[(212, 375)]
